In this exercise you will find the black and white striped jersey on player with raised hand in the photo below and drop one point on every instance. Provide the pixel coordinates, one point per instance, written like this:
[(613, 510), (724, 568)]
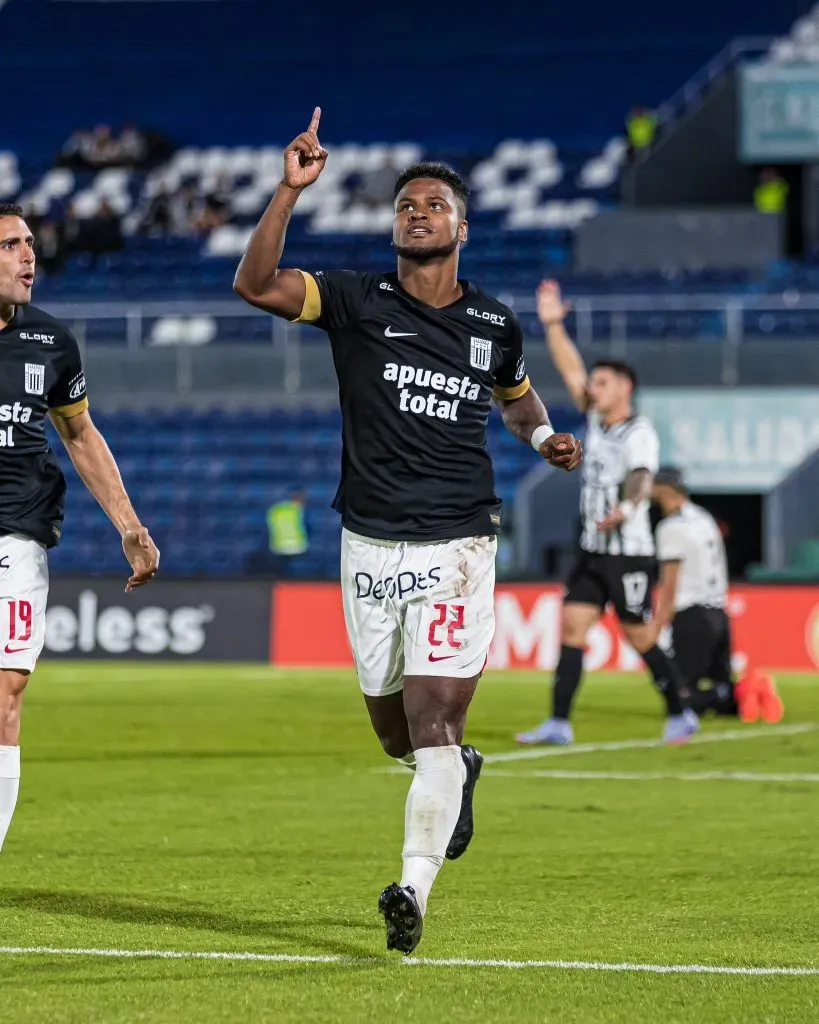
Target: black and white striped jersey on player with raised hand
[(611, 454)]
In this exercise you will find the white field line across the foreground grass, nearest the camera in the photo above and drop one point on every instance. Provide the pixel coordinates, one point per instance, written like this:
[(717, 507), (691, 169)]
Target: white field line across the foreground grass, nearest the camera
[(410, 962)]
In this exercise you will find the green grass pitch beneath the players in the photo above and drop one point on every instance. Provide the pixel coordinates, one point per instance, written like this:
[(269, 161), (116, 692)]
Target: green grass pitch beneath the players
[(241, 809)]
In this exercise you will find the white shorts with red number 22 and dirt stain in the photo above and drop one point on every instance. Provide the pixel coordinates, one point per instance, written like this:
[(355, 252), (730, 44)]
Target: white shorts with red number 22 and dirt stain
[(417, 609)]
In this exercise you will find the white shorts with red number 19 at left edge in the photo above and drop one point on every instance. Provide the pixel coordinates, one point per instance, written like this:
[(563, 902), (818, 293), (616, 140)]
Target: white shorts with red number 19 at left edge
[(24, 594)]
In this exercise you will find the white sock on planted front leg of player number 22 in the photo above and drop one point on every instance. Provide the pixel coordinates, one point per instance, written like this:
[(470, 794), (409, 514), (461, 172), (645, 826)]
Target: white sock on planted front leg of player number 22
[(433, 808)]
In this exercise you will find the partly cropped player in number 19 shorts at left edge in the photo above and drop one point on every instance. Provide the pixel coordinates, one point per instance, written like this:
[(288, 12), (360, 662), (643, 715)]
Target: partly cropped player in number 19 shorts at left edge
[(41, 376)]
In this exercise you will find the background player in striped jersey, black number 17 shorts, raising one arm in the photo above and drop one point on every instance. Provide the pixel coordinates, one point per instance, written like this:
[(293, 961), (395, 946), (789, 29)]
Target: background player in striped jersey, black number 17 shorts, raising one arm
[(617, 563)]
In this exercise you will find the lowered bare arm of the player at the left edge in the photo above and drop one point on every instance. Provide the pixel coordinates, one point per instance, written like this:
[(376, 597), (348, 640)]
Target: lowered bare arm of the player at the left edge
[(99, 472)]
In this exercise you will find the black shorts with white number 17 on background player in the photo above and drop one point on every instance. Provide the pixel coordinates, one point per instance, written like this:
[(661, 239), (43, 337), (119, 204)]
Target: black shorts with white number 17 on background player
[(623, 581)]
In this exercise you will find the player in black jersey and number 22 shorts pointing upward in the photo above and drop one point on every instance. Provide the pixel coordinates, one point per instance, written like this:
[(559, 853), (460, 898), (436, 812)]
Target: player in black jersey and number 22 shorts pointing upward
[(420, 356)]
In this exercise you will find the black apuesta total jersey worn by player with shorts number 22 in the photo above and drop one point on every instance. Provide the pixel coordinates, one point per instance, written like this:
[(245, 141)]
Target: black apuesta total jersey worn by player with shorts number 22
[(416, 386)]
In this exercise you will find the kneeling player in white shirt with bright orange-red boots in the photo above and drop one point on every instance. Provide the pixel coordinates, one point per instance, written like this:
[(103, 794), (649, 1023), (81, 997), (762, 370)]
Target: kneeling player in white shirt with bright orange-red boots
[(694, 591)]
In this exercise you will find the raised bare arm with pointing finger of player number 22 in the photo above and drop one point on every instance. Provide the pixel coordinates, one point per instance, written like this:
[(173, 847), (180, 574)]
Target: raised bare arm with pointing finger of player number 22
[(258, 279)]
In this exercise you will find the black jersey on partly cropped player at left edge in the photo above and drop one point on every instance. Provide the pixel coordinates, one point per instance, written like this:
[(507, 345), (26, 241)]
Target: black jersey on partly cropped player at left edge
[(40, 371)]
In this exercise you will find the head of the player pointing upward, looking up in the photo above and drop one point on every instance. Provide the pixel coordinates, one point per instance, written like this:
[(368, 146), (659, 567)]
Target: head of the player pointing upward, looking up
[(428, 221)]
